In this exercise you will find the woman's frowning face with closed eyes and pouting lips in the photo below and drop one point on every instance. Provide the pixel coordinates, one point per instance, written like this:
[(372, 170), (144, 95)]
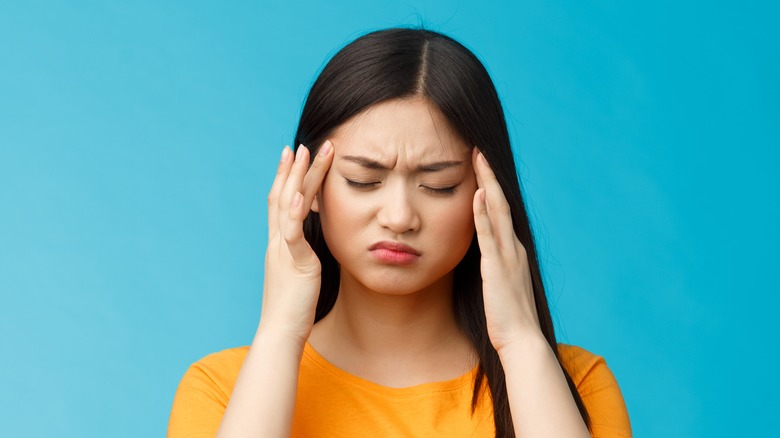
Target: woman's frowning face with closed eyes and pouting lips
[(396, 205)]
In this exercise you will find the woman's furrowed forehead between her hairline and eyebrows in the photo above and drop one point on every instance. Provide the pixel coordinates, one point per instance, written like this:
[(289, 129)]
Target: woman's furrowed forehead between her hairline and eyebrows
[(401, 130)]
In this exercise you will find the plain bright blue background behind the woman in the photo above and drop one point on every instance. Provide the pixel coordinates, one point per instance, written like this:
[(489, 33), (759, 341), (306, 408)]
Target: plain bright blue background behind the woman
[(138, 141)]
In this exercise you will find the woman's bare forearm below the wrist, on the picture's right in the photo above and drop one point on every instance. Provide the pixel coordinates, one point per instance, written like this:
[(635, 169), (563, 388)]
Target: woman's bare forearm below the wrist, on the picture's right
[(539, 397)]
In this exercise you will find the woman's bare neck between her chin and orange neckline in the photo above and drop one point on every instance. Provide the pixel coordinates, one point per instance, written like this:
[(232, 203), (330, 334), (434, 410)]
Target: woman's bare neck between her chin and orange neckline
[(368, 331)]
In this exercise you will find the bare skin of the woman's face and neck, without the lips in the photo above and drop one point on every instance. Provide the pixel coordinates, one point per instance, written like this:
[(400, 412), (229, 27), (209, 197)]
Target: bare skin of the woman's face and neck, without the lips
[(421, 197)]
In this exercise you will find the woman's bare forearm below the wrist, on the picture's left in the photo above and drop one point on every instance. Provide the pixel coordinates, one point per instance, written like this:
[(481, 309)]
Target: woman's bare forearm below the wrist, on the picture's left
[(263, 399)]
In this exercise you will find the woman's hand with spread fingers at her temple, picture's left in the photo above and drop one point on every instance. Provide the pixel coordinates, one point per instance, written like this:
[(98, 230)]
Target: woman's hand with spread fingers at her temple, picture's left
[(292, 269)]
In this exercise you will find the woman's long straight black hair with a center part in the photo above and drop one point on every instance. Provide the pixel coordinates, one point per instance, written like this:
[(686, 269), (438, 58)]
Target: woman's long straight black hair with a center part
[(401, 63)]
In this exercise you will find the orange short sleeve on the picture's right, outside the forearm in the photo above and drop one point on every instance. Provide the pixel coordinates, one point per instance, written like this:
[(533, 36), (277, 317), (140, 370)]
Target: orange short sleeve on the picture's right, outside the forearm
[(599, 391)]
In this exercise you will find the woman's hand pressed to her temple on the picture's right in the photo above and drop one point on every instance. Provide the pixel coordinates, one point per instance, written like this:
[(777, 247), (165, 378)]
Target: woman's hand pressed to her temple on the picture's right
[(506, 279)]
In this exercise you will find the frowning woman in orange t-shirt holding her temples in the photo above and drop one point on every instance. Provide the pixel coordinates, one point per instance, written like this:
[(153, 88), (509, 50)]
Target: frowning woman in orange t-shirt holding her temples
[(403, 295)]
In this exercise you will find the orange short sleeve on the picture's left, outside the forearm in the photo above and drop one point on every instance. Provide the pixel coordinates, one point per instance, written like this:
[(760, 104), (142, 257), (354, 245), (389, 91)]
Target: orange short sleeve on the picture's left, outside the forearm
[(203, 395)]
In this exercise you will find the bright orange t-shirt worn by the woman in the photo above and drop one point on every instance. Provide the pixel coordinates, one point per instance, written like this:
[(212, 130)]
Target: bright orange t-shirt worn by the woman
[(333, 403)]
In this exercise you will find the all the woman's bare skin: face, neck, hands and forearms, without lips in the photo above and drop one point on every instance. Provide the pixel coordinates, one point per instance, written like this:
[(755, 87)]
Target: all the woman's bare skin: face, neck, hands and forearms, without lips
[(380, 305)]
